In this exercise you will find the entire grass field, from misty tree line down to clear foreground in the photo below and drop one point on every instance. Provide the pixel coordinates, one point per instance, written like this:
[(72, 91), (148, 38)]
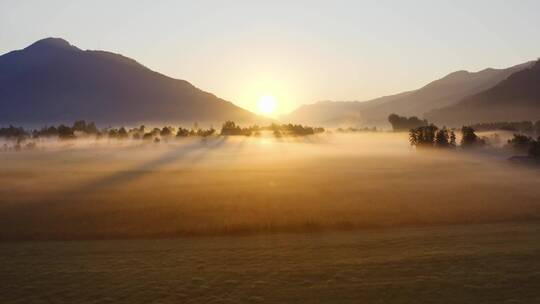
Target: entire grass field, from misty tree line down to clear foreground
[(330, 219)]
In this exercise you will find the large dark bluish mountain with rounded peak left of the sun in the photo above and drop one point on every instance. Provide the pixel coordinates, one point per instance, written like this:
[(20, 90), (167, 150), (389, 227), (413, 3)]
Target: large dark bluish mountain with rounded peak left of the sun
[(52, 81)]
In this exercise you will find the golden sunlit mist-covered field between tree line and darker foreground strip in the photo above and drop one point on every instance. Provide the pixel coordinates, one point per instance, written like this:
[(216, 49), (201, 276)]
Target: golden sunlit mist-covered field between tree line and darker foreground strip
[(238, 185)]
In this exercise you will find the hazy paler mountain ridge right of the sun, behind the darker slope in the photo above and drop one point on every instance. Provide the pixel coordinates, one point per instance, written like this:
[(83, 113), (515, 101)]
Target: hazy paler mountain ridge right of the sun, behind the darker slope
[(440, 93)]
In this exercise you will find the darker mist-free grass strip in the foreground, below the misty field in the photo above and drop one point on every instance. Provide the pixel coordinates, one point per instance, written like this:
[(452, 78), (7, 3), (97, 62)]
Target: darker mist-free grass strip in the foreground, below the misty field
[(492, 263)]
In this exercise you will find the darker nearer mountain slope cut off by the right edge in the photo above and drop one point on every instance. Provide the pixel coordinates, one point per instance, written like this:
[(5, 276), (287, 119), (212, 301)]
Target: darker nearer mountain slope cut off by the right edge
[(514, 99)]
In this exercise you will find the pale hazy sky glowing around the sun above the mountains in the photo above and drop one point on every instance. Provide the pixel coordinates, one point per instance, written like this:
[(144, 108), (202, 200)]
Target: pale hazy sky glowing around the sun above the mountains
[(299, 52)]
